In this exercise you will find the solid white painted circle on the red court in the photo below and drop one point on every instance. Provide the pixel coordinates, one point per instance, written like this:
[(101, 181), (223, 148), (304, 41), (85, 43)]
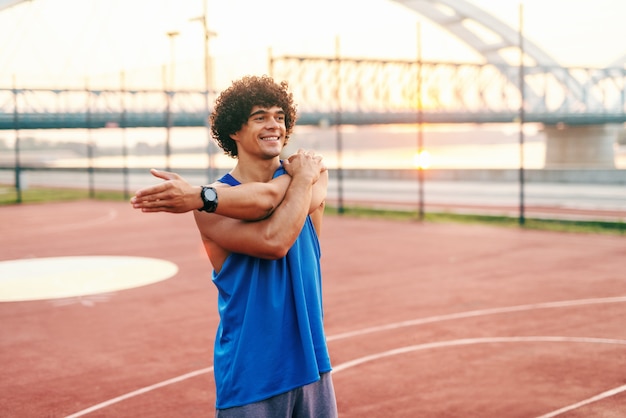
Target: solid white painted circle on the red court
[(65, 277)]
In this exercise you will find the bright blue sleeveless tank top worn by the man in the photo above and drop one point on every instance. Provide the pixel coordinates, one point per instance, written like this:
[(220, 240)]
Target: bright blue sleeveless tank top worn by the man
[(270, 339)]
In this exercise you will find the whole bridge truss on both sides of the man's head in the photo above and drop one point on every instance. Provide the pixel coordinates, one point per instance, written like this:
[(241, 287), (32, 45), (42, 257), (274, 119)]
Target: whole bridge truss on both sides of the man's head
[(362, 91)]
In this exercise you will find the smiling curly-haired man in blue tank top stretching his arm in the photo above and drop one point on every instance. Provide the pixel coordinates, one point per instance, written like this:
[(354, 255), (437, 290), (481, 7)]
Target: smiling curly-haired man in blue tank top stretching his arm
[(260, 230)]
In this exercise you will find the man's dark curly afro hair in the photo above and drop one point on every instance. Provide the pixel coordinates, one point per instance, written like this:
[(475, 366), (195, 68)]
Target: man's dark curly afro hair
[(233, 107)]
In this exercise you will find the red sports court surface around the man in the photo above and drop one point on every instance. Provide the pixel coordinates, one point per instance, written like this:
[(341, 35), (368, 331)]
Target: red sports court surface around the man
[(423, 320)]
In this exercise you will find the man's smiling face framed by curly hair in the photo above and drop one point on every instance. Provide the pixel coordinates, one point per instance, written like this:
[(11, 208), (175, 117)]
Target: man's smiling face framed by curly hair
[(264, 132)]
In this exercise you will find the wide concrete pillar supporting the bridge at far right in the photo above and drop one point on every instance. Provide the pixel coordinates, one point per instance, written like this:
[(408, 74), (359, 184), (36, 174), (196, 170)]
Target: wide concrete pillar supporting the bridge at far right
[(586, 146)]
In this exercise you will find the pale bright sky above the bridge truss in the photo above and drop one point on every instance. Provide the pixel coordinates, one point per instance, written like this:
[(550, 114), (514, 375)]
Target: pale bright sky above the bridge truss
[(59, 43)]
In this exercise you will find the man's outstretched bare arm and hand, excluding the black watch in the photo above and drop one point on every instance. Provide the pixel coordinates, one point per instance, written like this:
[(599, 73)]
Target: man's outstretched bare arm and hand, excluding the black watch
[(250, 201)]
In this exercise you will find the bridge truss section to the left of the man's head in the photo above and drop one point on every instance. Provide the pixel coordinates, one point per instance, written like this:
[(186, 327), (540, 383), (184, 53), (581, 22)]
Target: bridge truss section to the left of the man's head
[(37, 108)]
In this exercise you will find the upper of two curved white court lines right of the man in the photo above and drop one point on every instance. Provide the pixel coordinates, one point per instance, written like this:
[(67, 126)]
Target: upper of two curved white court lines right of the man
[(470, 314)]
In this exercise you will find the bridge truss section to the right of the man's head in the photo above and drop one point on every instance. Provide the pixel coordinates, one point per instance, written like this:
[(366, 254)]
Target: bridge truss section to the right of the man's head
[(384, 90)]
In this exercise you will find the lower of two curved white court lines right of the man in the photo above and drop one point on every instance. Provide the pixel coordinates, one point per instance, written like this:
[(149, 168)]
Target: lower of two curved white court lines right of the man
[(470, 341)]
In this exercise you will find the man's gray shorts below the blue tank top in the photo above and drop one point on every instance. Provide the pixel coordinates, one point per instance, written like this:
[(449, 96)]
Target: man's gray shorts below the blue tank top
[(316, 400)]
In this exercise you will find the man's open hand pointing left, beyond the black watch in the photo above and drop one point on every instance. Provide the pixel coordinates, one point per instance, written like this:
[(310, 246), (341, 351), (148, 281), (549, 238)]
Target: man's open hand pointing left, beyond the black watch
[(174, 195)]
